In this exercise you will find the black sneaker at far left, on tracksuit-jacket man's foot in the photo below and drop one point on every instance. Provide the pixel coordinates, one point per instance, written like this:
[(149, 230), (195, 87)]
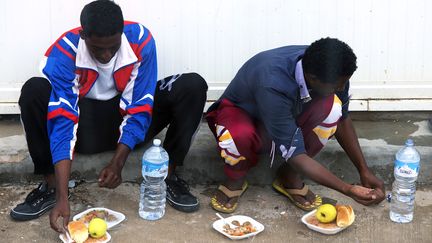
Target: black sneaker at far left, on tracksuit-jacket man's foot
[(37, 202)]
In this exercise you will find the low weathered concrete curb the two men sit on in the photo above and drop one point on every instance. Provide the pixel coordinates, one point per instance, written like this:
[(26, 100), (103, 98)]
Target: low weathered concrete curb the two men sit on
[(204, 166)]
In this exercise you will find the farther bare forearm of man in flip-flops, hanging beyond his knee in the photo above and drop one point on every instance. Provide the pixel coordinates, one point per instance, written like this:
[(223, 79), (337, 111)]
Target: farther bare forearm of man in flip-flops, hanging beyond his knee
[(347, 138)]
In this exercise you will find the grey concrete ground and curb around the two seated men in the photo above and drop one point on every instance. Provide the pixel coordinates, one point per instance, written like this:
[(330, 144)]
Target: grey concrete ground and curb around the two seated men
[(381, 135)]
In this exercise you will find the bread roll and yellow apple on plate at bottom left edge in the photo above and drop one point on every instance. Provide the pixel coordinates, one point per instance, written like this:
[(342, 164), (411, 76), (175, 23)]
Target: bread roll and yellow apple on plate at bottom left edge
[(78, 232)]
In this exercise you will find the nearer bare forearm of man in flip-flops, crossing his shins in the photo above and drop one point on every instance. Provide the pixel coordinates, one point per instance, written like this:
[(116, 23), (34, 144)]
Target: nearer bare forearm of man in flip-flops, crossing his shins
[(318, 173)]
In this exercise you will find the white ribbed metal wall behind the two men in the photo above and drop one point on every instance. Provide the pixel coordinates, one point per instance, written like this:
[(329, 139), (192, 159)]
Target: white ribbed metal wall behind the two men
[(215, 37)]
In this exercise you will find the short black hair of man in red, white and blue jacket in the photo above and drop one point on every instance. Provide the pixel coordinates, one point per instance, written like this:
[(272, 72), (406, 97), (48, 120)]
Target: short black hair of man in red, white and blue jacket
[(102, 18)]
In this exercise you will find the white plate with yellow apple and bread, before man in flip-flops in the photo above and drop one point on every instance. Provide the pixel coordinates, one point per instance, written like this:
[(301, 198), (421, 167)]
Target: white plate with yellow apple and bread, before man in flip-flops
[(329, 219)]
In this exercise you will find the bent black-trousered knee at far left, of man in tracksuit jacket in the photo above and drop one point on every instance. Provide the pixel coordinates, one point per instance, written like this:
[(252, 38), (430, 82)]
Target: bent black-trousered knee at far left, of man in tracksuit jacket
[(32, 89)]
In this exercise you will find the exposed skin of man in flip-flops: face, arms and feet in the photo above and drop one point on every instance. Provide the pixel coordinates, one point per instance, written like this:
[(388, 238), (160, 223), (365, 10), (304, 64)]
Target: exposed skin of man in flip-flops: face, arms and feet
[(372, 189)]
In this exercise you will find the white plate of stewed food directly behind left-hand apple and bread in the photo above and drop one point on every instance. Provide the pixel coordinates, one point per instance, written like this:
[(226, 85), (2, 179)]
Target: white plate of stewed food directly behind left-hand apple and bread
[(112, 217)]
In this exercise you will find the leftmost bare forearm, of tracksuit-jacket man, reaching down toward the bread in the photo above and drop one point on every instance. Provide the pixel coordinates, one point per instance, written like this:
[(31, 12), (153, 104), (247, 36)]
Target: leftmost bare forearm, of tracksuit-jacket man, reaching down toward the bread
[(62, 174)]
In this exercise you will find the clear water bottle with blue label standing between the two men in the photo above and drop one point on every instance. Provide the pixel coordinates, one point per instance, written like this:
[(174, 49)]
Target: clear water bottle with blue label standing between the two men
[(153, 188)]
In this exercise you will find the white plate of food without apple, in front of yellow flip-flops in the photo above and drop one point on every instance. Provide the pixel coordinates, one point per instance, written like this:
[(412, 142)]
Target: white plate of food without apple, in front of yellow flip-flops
[(238, 227)]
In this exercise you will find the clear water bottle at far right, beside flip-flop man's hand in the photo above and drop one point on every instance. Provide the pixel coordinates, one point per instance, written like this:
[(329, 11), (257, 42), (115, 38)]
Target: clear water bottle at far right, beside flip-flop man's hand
[(407, 166)]
